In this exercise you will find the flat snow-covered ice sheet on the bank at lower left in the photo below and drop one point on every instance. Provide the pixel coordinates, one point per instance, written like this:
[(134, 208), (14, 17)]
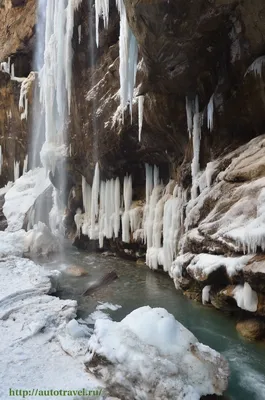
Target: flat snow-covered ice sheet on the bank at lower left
[(32, 325)]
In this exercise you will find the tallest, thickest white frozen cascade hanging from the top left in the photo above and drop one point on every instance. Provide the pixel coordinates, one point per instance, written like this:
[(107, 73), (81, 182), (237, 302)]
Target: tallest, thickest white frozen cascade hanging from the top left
[(55, 77)]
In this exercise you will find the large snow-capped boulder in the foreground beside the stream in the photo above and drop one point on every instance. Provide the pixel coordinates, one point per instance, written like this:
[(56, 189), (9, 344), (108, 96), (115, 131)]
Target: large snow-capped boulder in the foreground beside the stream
[(150, 355)]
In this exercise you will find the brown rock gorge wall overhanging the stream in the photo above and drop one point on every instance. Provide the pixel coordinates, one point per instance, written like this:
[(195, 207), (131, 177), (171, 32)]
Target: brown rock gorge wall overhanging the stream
[(209, 53)]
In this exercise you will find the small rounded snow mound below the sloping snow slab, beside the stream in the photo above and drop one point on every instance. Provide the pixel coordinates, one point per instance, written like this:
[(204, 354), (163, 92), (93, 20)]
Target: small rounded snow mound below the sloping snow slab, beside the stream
[(41, 241)]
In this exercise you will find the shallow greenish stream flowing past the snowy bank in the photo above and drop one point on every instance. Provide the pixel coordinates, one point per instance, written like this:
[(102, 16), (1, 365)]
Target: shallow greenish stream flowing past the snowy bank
[(138, 286)]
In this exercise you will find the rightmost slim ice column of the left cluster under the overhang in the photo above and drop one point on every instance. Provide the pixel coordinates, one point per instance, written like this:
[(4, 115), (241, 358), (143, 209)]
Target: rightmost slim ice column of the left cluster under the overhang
[(127, 196)]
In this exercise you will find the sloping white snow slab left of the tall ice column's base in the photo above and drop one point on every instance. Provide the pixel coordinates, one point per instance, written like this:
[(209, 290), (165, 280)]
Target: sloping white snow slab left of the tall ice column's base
[(22, 196)]
